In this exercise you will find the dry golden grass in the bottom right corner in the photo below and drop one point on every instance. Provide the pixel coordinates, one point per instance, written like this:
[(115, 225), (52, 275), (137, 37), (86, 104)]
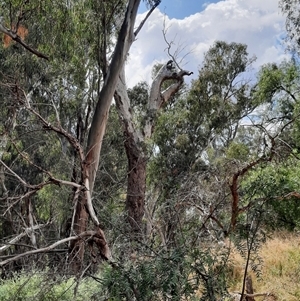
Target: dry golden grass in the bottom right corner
[(280, 271)]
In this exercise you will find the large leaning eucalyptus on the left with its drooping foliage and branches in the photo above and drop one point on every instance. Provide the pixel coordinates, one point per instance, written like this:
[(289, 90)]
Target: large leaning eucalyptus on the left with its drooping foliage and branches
[(80, 79)]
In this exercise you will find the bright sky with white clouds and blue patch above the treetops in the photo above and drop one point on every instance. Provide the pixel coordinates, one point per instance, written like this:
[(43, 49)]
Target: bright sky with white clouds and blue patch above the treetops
[(192, 26)]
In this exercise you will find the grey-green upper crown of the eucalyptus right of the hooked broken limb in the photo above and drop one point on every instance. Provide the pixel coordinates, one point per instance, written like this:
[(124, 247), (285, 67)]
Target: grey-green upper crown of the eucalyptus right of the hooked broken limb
[(204, 116)]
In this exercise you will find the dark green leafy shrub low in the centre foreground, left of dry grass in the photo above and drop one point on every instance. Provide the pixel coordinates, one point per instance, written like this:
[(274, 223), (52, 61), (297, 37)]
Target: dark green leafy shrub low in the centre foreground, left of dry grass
[(168, 275)]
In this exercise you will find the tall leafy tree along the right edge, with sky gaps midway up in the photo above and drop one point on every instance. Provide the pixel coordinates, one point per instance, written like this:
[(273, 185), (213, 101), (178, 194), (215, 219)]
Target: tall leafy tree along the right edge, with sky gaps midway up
[(277, 134)]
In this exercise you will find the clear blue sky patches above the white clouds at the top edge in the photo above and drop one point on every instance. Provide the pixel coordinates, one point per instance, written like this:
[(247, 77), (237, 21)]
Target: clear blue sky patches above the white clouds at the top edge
[(180, 9)]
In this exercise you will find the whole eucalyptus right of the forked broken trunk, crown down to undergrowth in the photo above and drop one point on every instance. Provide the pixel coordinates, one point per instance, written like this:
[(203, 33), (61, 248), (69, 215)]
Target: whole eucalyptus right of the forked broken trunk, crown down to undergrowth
[(194, 132)]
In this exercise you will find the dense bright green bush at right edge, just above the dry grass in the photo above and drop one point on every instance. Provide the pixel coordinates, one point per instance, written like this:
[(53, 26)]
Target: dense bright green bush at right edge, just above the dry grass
[(278, 185)]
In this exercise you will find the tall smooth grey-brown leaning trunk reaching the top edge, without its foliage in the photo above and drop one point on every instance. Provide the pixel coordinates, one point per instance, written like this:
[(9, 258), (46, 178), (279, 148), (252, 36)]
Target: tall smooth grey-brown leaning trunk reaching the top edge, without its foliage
[(84, 207)]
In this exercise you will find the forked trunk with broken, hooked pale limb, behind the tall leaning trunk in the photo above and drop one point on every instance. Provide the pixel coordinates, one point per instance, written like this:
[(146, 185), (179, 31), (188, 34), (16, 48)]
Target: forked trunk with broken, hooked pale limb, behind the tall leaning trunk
[(135, 140)]
